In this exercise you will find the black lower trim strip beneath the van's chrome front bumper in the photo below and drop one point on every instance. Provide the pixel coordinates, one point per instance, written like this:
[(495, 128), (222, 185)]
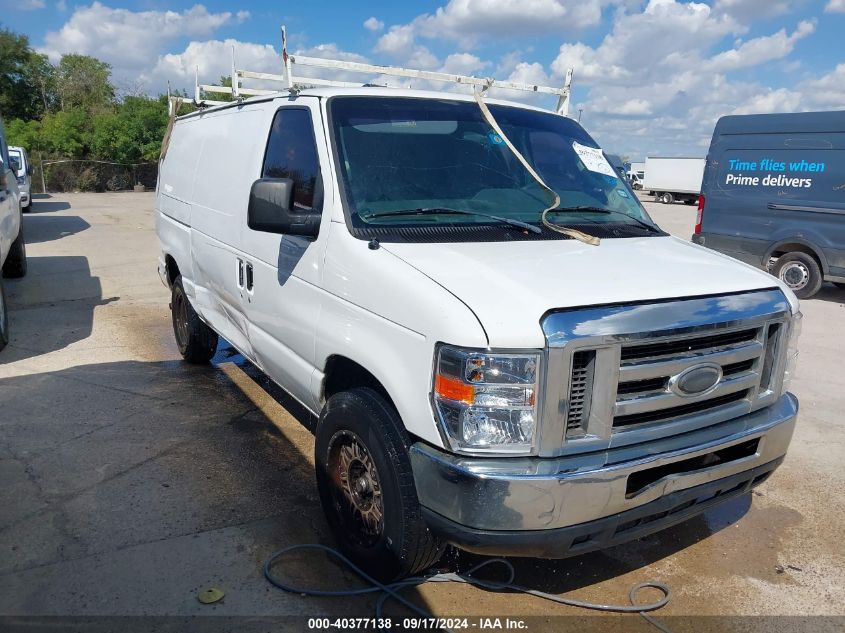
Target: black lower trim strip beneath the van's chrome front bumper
[(606, 532)]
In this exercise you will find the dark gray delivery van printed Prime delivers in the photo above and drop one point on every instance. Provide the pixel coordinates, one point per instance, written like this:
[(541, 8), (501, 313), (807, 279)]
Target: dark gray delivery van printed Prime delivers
[(773, 195)]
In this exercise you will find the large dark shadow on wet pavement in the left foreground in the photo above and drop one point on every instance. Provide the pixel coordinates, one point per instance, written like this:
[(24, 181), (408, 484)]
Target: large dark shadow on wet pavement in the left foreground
[(157, 479)]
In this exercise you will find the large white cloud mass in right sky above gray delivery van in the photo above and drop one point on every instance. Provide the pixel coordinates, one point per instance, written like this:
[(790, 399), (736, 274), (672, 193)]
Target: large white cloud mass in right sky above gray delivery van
[(662, 76)]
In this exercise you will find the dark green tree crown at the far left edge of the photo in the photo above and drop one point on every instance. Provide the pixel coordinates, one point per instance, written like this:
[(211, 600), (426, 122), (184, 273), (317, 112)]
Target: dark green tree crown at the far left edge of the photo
[(26, 78)]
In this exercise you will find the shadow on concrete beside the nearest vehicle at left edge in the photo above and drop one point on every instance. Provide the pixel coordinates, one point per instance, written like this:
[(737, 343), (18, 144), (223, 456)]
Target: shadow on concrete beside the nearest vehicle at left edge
[(36, 325)]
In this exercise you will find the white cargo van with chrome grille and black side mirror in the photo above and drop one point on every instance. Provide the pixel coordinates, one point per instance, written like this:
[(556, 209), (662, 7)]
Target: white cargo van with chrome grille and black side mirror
[(480, 378)]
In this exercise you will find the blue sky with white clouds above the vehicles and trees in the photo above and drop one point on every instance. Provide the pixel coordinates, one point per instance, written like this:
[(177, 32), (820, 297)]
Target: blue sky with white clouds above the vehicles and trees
[(650, 78)]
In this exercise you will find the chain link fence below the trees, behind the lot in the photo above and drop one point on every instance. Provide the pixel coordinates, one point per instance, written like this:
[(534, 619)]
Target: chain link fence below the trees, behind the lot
[(70, 174)]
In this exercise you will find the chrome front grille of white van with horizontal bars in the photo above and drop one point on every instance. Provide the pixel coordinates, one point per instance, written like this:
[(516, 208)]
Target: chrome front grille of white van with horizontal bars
[(616, 374)]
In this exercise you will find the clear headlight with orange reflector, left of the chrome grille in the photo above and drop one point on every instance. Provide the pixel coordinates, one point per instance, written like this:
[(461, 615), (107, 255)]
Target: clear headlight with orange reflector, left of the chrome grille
[(487, 402)]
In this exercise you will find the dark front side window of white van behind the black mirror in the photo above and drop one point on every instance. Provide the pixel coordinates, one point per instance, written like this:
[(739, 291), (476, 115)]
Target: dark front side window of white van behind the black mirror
[(292, 153)]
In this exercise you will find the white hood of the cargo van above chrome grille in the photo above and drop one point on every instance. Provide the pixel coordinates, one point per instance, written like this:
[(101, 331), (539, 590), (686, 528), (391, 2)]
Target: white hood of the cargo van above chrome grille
[(510, 286)]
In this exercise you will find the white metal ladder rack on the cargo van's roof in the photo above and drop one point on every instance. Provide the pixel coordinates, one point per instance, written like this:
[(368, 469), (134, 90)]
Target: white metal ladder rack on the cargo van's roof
[(295, 83)]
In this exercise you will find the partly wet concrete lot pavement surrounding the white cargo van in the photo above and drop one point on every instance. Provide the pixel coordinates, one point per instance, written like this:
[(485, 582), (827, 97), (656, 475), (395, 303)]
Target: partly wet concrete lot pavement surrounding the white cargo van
[(131, 480)]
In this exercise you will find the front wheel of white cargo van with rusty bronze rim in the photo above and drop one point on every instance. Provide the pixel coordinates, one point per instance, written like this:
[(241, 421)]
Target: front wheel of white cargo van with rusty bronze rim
[(367, 488)]
